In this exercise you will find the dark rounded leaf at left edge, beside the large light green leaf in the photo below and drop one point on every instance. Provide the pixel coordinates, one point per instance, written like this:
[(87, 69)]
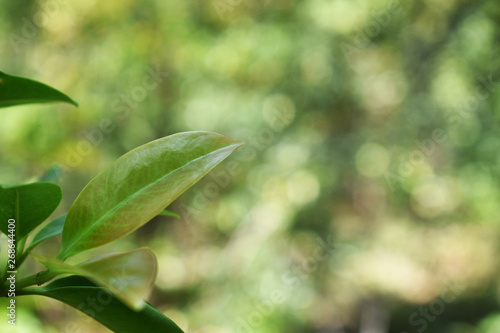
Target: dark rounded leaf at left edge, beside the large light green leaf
[(28, 204)]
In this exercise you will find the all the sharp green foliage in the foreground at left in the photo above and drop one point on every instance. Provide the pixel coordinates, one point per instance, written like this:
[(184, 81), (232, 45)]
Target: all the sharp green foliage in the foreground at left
[(122, 198)]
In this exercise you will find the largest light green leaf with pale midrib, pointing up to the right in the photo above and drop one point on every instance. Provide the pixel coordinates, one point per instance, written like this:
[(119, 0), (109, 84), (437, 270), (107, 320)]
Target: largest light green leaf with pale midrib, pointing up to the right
[(138, 186)]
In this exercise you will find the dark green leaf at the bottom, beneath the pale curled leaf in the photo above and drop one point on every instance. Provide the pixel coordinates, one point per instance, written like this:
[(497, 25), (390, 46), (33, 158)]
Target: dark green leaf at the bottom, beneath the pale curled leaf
[(76, 291)]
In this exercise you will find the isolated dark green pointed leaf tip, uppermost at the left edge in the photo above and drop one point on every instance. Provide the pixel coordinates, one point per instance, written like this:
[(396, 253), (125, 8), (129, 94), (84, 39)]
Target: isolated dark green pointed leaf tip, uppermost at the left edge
[(16, 90)]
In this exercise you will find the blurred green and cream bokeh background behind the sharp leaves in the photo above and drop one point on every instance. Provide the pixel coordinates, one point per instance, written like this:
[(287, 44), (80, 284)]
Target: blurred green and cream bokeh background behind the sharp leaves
[(365, 199)]
